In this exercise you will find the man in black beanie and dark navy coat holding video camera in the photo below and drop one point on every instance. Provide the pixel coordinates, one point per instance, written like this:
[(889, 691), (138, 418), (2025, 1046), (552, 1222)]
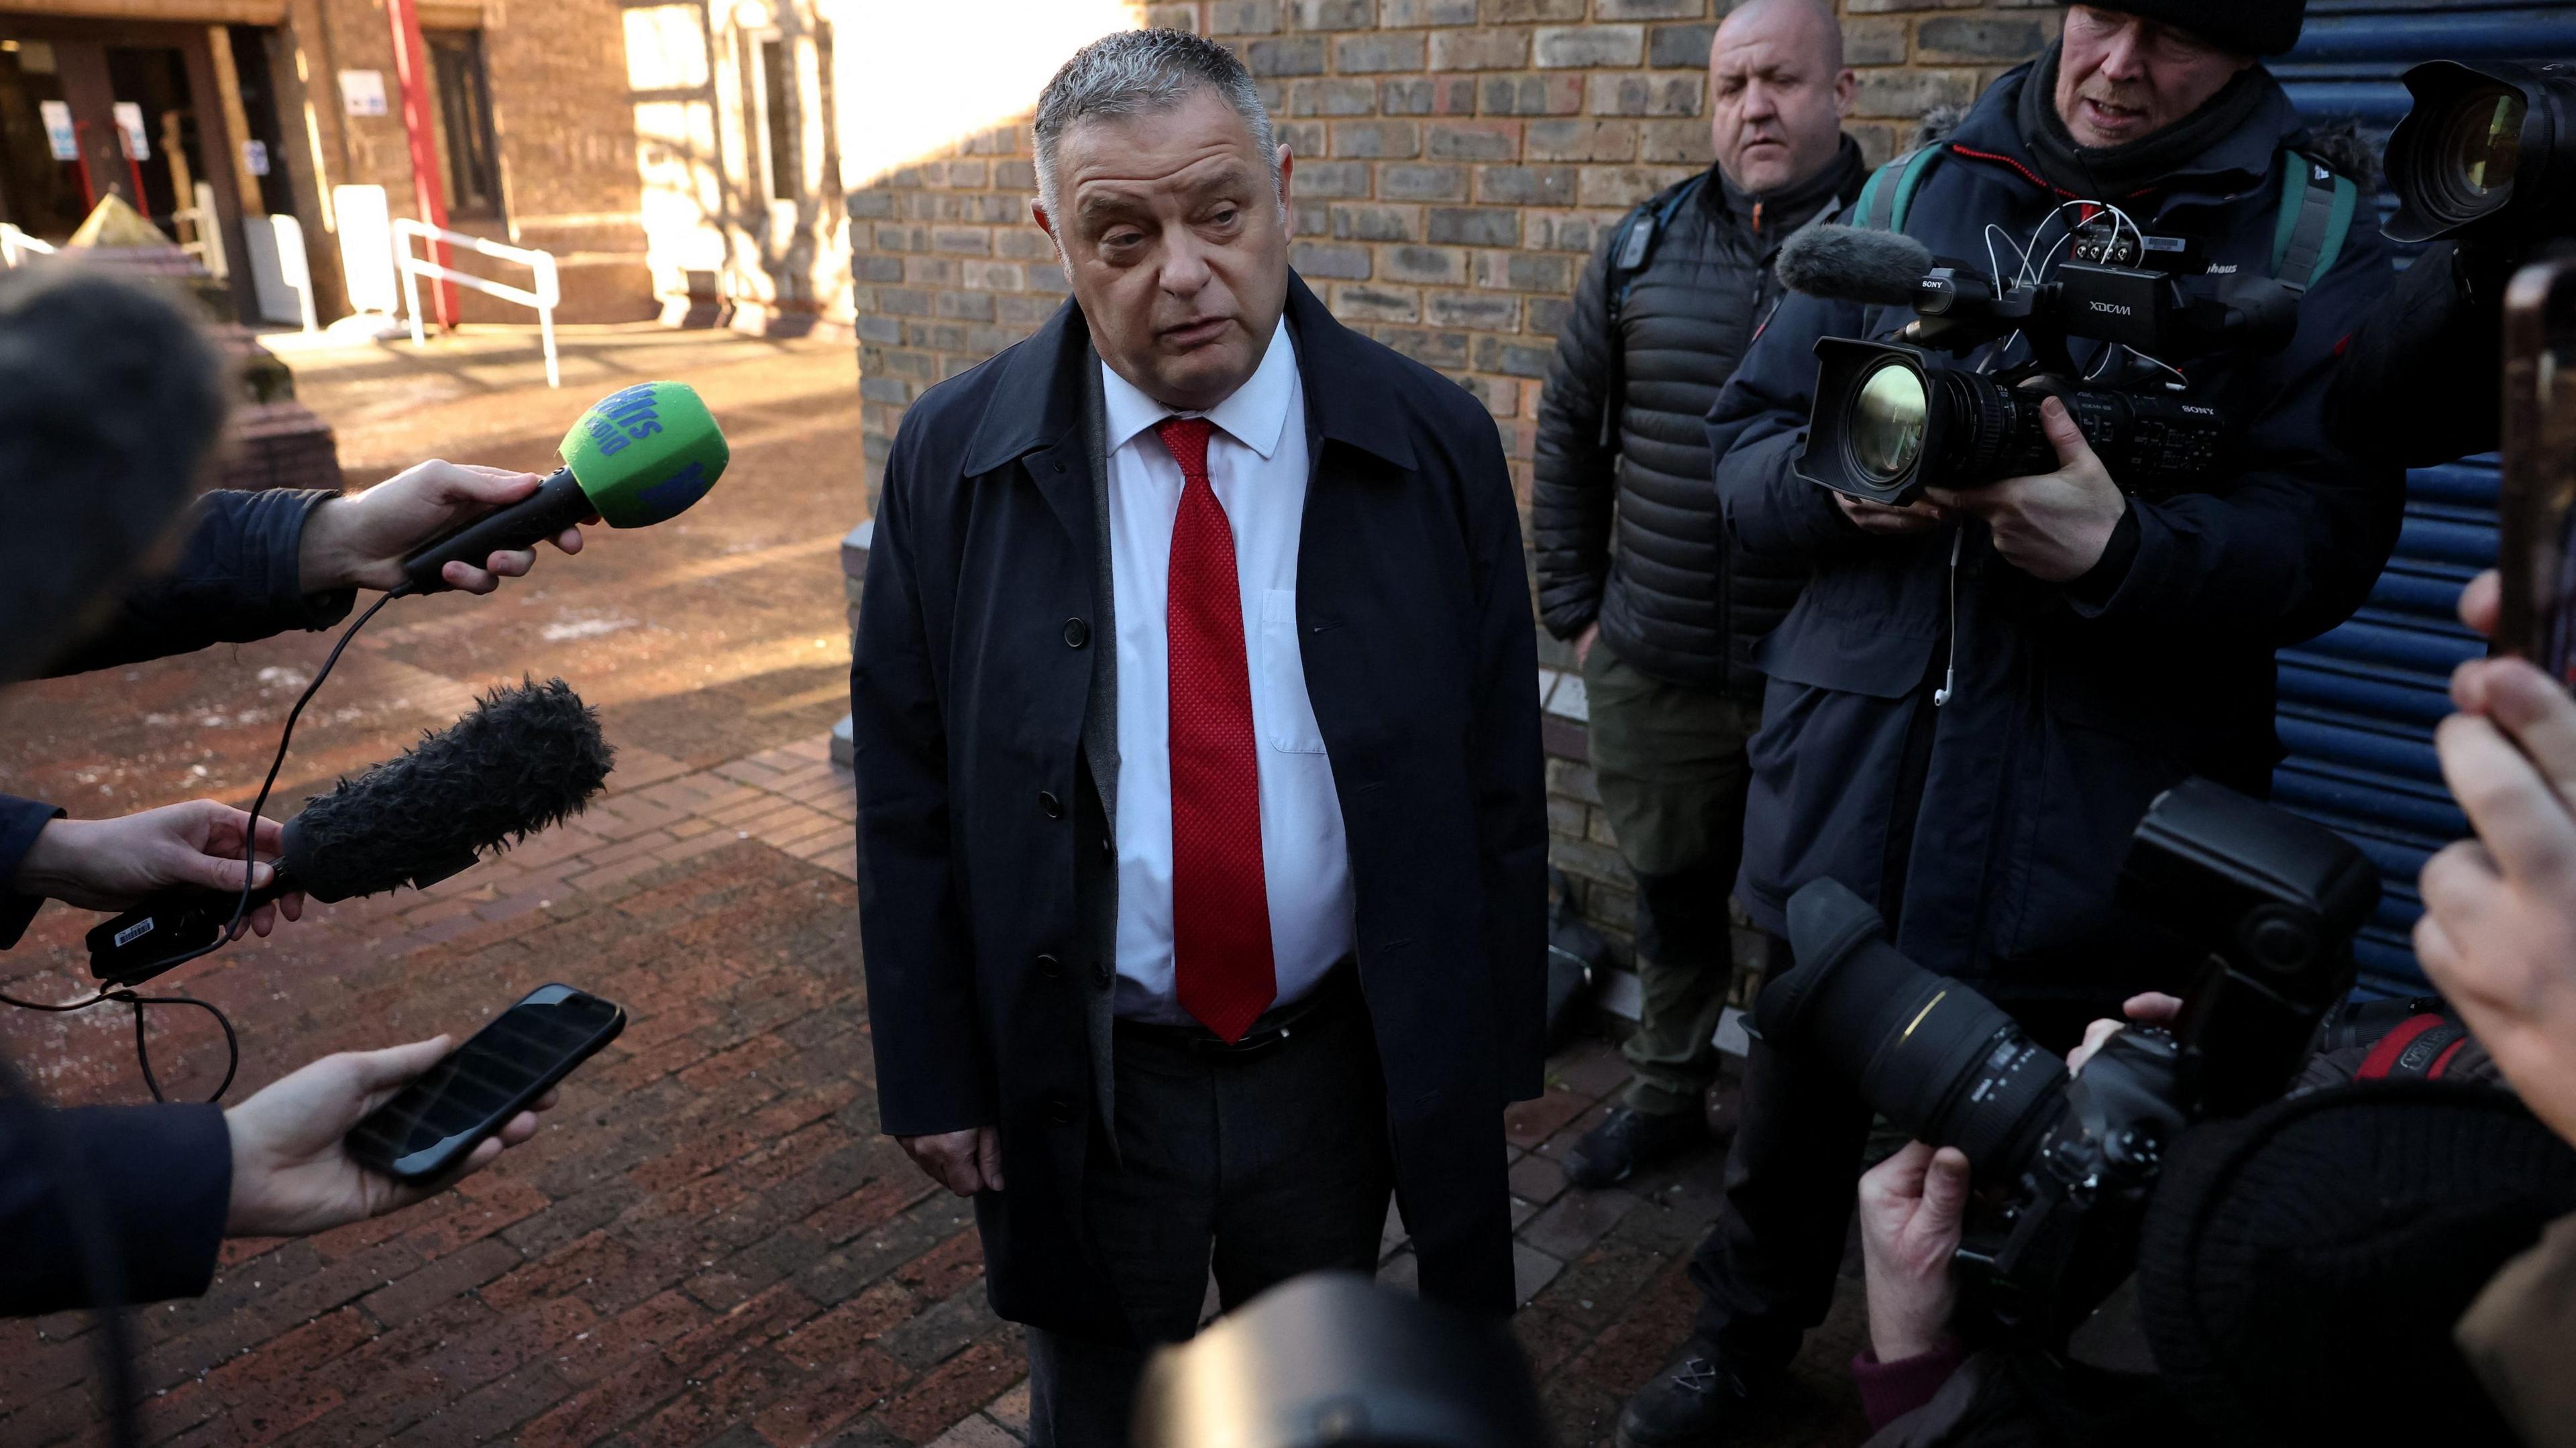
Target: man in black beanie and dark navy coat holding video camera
[(1980, 694)]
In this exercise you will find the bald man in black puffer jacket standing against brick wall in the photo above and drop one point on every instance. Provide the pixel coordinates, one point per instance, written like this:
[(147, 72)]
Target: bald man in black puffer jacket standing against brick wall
[(1668, 617)]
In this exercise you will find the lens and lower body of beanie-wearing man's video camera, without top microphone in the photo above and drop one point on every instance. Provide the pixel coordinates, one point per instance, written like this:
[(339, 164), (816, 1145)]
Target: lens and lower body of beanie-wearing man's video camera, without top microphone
[(1889, 421)]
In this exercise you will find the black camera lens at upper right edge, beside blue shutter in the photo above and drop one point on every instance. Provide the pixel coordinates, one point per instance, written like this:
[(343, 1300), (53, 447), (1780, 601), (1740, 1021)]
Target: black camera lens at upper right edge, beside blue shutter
[(2487, 153)]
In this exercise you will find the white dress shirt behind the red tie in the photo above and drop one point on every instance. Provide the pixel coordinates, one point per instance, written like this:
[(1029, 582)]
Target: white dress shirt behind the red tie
[(1258, 473)]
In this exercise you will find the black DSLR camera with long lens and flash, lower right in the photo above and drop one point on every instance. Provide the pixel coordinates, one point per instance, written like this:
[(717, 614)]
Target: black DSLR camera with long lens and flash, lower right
[(2263, 908)]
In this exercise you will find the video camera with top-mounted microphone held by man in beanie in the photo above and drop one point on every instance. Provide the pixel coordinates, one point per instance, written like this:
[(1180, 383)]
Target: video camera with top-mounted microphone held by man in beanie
[(1892, 421)]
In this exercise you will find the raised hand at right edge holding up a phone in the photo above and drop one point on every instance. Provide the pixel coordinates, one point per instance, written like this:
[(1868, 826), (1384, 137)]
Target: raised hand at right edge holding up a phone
[(2500, 911)]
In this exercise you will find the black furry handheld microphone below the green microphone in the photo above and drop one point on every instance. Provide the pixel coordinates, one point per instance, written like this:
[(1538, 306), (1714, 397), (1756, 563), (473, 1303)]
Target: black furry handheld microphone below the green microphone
[(522, 761)]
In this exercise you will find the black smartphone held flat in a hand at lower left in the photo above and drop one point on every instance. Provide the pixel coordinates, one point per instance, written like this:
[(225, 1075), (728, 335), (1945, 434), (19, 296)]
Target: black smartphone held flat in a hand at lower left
[(480, 1086)]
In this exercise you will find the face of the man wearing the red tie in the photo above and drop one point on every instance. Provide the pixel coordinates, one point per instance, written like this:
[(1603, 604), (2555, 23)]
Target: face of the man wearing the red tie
[(1176, 246)]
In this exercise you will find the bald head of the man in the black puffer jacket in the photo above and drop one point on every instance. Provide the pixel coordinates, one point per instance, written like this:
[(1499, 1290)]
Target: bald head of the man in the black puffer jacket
[(1776, 94)]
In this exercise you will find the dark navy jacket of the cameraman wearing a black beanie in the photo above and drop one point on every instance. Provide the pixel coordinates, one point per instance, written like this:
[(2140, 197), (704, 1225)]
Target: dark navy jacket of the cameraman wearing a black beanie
[(1993, 828)]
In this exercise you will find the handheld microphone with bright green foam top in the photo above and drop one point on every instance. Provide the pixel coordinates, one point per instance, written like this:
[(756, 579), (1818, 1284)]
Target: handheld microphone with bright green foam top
[(635, 460)]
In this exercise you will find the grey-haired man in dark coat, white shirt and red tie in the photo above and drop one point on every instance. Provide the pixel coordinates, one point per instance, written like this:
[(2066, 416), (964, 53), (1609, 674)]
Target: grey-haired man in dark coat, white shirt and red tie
[(1179, 949)]
